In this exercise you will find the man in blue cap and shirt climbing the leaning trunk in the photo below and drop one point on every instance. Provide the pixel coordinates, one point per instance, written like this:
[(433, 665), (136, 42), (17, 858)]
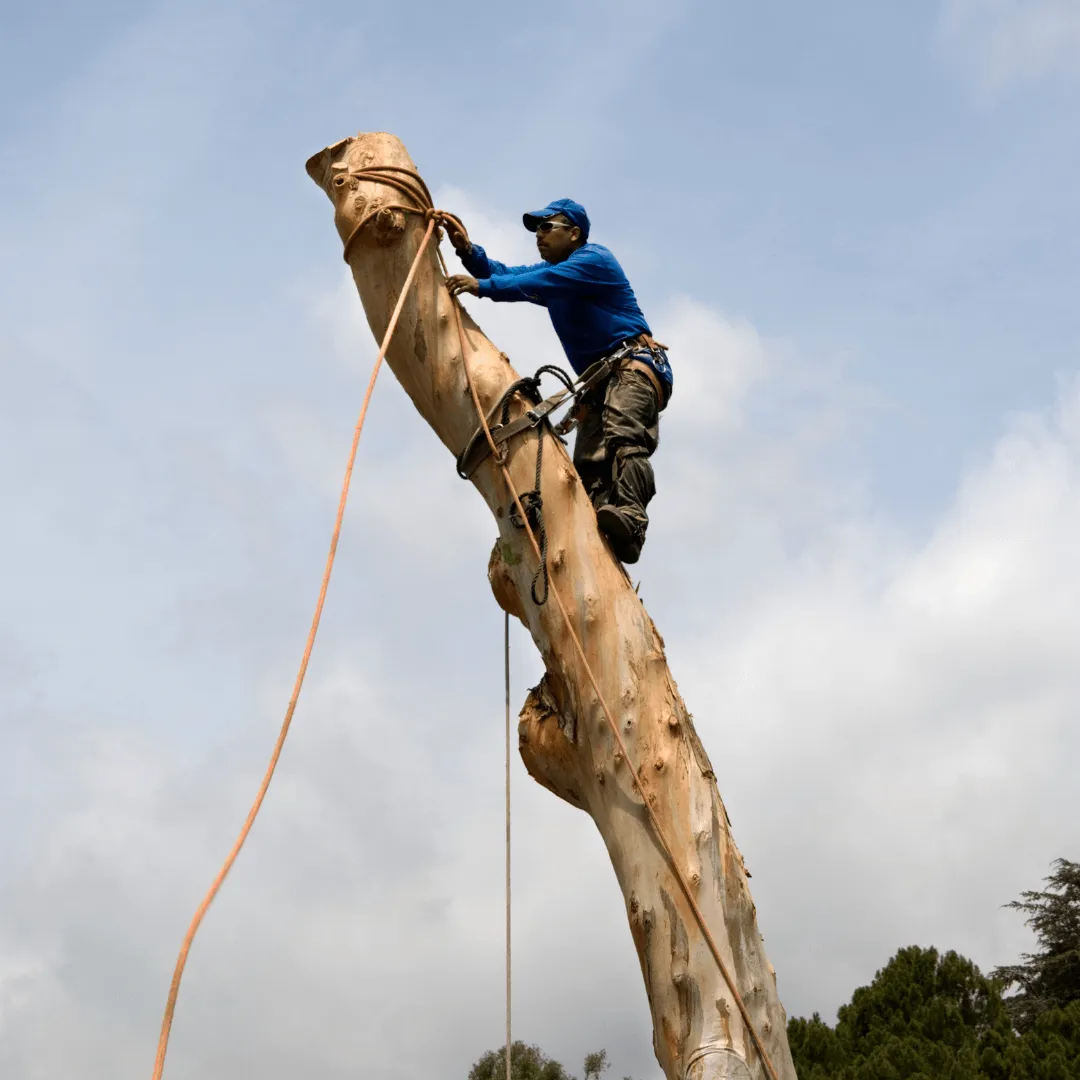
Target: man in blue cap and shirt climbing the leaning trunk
[(597, 317)]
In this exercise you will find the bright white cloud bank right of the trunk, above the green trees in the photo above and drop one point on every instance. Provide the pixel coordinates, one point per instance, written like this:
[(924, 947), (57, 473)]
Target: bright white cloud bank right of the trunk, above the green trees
[(894, 717)]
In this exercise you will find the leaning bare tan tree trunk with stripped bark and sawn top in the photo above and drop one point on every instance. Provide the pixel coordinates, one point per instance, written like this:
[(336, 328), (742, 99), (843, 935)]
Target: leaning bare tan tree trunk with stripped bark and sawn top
[(565, 742)]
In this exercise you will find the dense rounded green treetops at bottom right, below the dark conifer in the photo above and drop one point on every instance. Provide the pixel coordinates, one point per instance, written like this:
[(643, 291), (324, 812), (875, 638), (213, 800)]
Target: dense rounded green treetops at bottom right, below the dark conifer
[(928, 1017)]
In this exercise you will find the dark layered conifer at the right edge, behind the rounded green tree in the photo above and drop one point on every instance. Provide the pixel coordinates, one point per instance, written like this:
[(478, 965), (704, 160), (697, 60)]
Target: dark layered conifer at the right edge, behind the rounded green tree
[(1050, 979)]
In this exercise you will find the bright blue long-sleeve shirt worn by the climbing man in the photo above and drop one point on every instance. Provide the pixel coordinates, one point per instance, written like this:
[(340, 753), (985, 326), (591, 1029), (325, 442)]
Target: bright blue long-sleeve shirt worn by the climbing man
[(591, 304)]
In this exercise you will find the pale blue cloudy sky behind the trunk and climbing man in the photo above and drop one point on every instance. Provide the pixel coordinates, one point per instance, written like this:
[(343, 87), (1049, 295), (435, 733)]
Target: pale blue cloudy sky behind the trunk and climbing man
[(856, 226)]
